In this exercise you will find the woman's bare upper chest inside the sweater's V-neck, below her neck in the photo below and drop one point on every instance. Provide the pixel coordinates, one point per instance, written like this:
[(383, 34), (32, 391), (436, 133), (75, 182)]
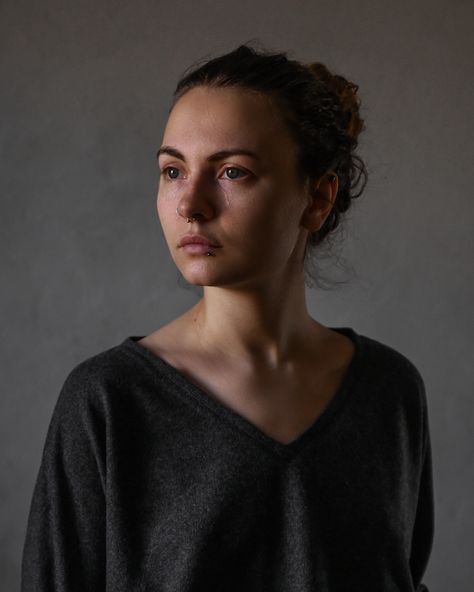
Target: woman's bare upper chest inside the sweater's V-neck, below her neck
[(280, 403)]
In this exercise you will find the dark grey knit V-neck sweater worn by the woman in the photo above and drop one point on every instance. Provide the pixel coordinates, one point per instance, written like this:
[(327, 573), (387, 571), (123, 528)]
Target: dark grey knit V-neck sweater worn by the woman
[(148, 484)]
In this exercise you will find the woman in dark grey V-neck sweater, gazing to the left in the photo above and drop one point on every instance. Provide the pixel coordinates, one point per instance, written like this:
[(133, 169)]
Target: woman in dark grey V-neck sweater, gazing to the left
[(244, 445)]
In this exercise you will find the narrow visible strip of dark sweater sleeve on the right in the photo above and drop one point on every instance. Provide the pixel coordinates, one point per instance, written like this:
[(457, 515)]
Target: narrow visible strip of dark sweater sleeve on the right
[(423, 530)]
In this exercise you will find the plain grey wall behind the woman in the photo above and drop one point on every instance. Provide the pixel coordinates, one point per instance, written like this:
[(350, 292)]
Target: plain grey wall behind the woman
[(85, 91)]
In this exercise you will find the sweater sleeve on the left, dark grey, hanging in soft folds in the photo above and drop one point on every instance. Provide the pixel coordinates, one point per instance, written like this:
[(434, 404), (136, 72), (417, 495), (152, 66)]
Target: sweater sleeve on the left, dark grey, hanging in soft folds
[(64, 549)]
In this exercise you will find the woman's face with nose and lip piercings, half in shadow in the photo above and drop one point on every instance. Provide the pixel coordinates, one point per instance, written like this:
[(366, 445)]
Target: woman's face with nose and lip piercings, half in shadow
[(227, 159)]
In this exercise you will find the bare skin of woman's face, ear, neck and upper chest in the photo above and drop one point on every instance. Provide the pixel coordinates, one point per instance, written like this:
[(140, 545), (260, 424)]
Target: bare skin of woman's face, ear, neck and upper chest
[(250, 340)]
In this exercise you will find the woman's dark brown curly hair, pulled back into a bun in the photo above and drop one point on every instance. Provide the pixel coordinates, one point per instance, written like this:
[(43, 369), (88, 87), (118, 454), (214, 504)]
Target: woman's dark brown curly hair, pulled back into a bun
[(320, 108)]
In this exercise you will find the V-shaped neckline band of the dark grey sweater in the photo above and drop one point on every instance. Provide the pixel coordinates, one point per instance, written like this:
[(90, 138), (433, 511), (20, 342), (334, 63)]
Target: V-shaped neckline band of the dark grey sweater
[(234, 419)]
